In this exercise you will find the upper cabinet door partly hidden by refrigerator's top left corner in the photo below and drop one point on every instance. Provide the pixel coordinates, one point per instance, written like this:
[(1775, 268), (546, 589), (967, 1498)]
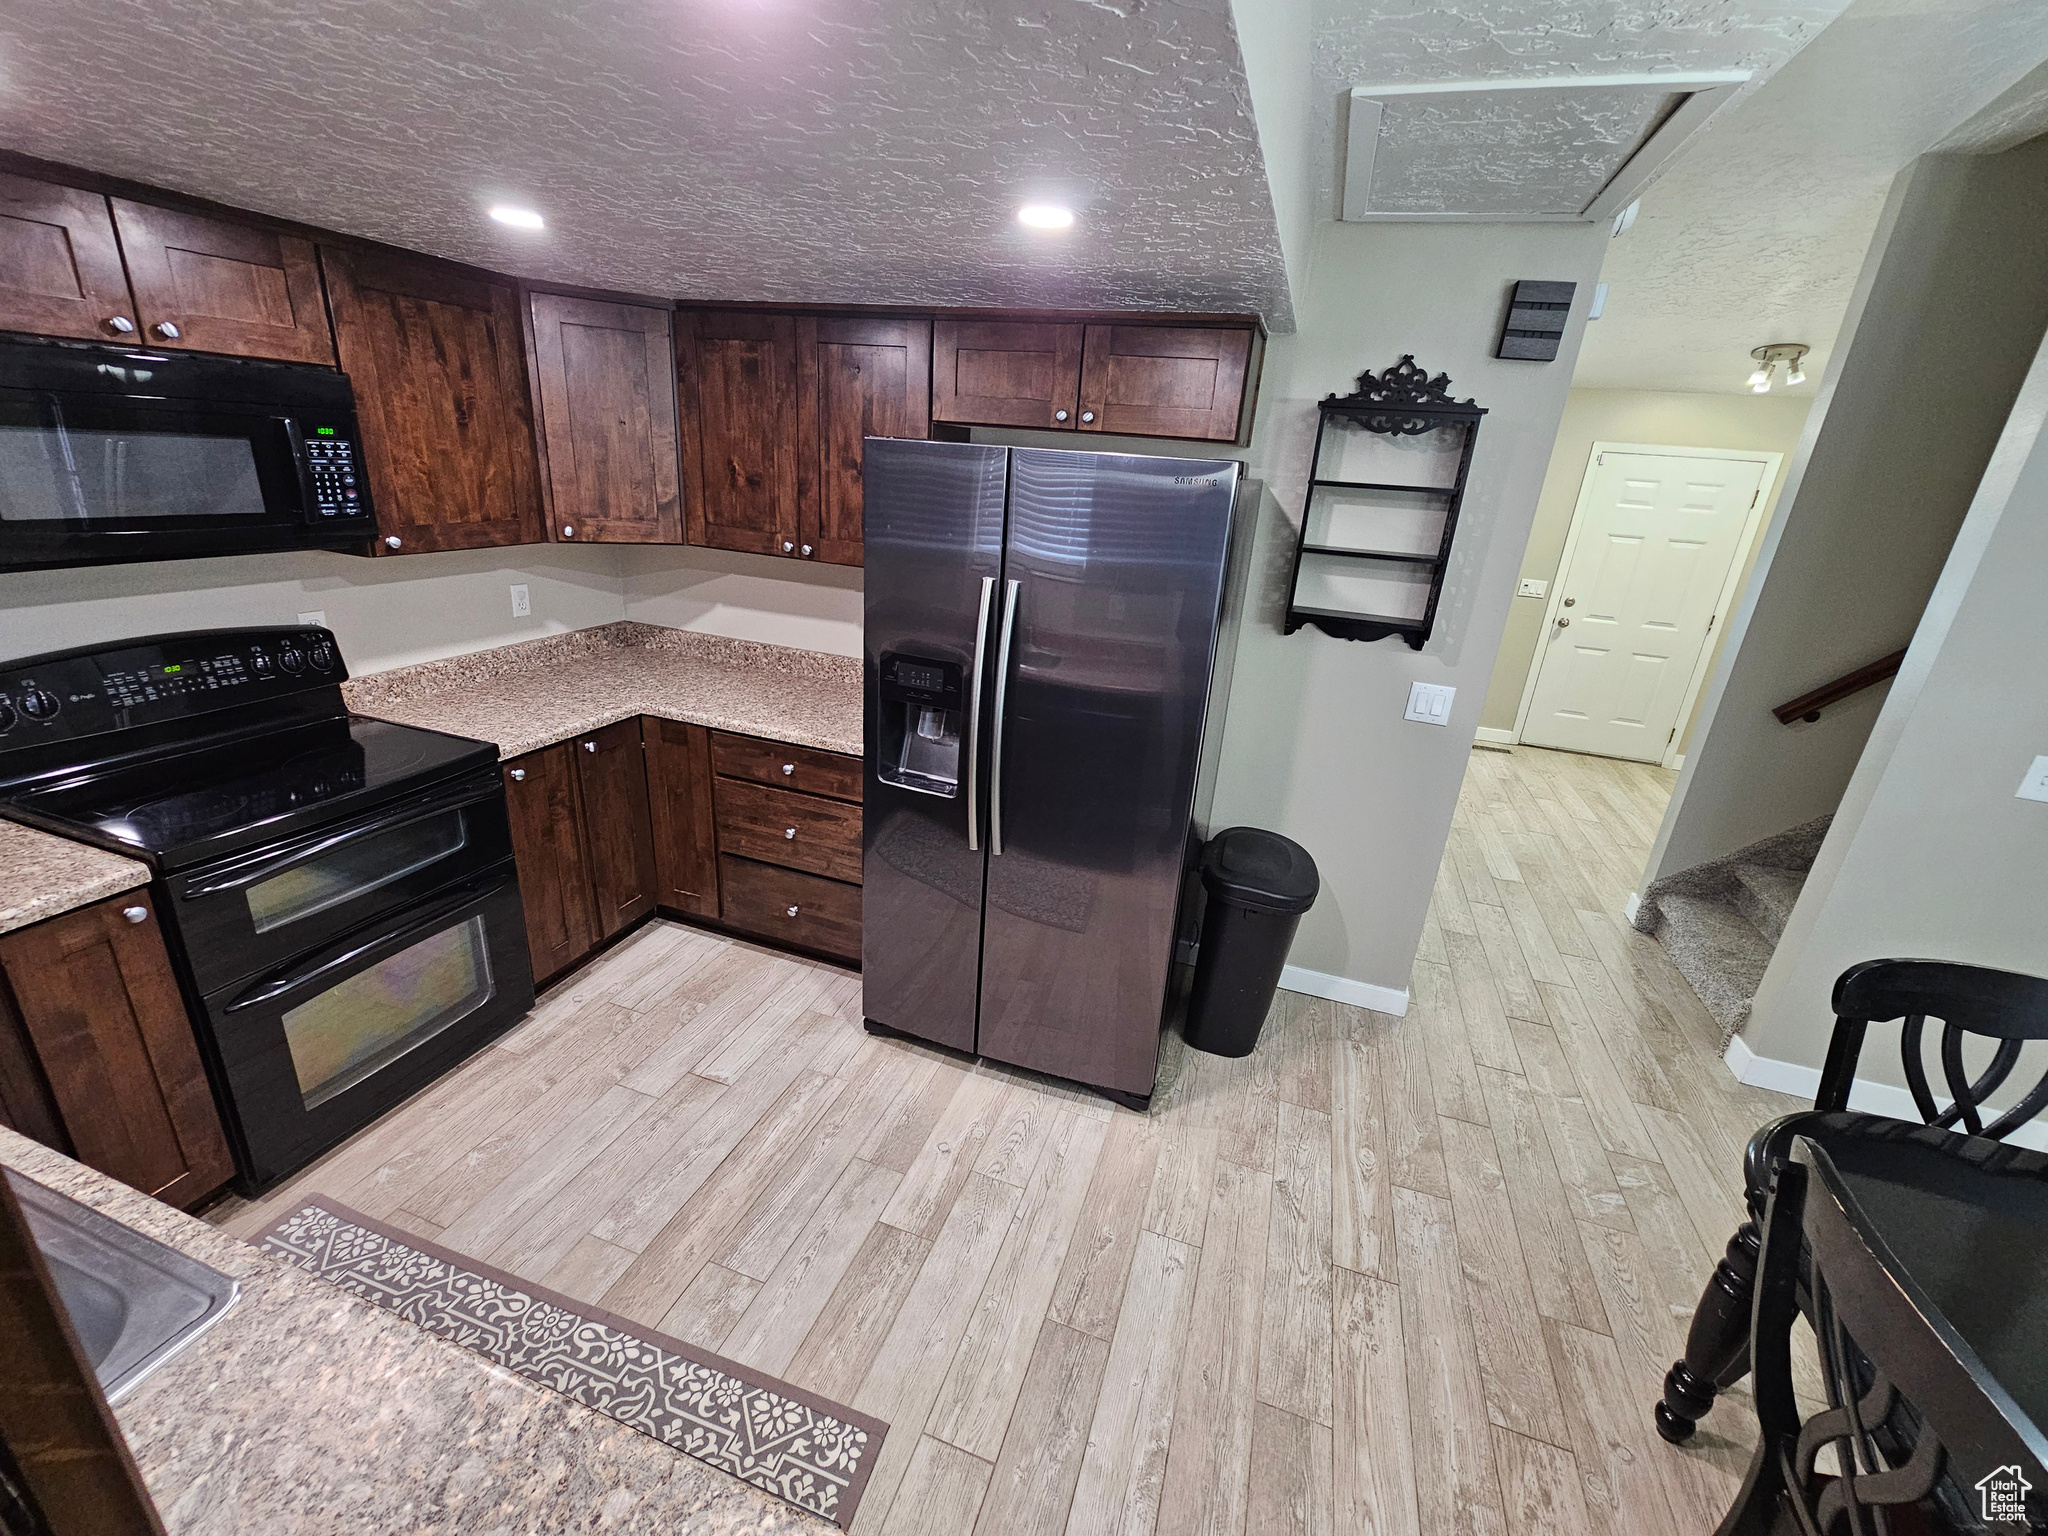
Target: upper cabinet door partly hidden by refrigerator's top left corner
[(855, 380)]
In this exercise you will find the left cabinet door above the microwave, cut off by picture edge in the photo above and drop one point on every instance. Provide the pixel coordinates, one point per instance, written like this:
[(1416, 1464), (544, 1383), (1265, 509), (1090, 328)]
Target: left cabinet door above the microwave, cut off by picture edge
[(60, 267)]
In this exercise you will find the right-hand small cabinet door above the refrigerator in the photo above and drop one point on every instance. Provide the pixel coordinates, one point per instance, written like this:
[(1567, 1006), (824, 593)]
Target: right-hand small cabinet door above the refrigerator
[(1168, 382)]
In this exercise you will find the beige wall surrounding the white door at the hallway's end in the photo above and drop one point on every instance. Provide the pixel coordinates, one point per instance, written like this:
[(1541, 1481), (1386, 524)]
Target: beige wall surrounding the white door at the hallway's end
[(1674, 421)]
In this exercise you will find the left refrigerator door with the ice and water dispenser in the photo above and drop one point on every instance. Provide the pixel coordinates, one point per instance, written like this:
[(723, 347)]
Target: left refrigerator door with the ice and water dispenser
[(935, 538)]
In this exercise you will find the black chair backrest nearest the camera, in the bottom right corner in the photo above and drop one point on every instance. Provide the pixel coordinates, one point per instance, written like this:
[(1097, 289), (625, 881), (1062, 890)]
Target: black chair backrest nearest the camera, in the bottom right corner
[(1912, 1410)]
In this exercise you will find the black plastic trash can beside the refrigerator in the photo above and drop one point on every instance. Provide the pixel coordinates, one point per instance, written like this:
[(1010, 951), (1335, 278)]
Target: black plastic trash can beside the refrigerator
[(1258, 886)]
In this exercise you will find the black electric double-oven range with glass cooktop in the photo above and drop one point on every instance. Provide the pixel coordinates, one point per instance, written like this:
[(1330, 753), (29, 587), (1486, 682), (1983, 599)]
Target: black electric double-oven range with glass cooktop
[(337, 892)]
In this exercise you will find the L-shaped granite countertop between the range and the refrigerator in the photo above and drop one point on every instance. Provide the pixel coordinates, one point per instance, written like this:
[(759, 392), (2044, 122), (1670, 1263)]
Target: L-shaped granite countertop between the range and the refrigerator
[(538, 693)]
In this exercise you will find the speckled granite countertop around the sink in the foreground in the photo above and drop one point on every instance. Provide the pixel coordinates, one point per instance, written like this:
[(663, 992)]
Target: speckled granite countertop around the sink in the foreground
[(308, 1410)]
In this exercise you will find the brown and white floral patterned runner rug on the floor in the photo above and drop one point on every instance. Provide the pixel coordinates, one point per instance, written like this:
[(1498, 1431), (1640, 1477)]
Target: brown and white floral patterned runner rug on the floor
[(783, 1441)]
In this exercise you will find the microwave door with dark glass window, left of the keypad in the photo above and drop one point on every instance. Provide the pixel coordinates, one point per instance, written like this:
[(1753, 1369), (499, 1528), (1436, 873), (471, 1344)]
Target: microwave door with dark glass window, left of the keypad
[(103, 464)]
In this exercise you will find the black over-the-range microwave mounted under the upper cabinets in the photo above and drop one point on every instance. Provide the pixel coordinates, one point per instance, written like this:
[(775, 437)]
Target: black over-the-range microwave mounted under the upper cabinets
[(120, 454)]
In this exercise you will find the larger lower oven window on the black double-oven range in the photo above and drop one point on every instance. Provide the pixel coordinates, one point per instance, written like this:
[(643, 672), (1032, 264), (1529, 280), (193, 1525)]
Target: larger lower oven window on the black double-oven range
[(376, 1017)]
